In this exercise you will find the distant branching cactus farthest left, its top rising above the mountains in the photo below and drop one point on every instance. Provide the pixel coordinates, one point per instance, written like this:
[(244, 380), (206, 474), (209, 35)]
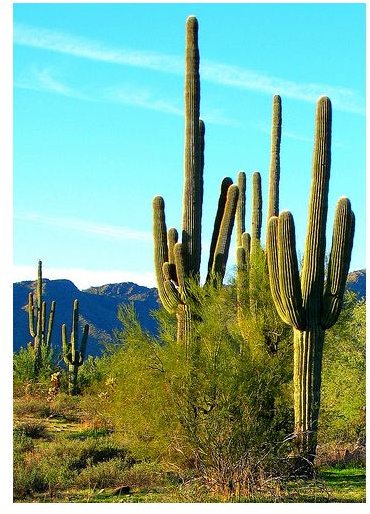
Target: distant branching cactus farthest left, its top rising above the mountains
[(40, 331)]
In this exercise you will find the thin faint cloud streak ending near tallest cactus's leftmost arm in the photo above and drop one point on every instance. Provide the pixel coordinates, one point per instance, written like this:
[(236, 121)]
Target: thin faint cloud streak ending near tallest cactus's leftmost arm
[(87, 227)]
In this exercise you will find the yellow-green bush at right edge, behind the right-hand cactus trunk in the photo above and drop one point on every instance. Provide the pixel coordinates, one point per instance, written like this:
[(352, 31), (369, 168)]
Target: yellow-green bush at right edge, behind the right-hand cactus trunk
[(343, 415)]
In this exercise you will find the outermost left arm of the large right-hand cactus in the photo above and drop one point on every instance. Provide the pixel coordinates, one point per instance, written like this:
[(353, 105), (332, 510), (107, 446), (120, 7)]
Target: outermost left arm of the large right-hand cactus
[(273, 267)]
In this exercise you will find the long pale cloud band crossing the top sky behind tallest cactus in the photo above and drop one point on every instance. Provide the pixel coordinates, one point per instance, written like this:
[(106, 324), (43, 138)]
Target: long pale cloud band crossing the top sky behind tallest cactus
[(219, 73)]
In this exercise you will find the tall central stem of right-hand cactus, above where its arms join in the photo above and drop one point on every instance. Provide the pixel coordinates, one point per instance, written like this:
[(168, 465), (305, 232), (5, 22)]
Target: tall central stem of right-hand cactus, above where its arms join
[(314, 255)]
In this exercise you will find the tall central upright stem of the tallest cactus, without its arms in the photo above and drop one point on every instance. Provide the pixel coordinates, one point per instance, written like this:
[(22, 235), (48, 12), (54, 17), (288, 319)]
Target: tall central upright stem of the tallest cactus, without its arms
[(192, 210)]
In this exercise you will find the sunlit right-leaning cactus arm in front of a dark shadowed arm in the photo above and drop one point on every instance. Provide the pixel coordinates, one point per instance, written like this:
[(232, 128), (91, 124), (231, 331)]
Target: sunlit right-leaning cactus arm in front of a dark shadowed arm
[(224, 236)]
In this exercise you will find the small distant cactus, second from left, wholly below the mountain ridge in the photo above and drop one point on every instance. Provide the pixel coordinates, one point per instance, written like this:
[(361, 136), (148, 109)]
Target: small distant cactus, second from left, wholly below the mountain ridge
[(73, 357)]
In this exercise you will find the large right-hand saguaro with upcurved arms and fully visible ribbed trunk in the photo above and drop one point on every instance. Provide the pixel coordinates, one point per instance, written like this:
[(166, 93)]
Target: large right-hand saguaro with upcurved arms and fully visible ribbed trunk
[(311, 304)]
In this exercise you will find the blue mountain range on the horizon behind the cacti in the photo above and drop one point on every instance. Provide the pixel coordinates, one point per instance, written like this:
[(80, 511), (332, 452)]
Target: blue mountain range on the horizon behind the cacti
[(98, 307)]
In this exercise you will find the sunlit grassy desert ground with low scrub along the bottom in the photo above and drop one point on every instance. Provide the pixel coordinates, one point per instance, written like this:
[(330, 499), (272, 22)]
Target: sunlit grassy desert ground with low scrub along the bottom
[(56, 460)]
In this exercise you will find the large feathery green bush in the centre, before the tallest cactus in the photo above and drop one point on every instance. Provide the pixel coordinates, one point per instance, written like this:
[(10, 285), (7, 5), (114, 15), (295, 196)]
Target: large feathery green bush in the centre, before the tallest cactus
[(219, 407)]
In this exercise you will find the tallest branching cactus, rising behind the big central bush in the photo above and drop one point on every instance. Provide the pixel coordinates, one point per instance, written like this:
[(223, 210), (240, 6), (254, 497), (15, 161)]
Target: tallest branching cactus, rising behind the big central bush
[(177, 264)]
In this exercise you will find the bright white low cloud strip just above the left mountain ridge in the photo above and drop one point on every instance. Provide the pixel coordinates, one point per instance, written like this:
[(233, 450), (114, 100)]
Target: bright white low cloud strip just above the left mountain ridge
[(85, 278)]
